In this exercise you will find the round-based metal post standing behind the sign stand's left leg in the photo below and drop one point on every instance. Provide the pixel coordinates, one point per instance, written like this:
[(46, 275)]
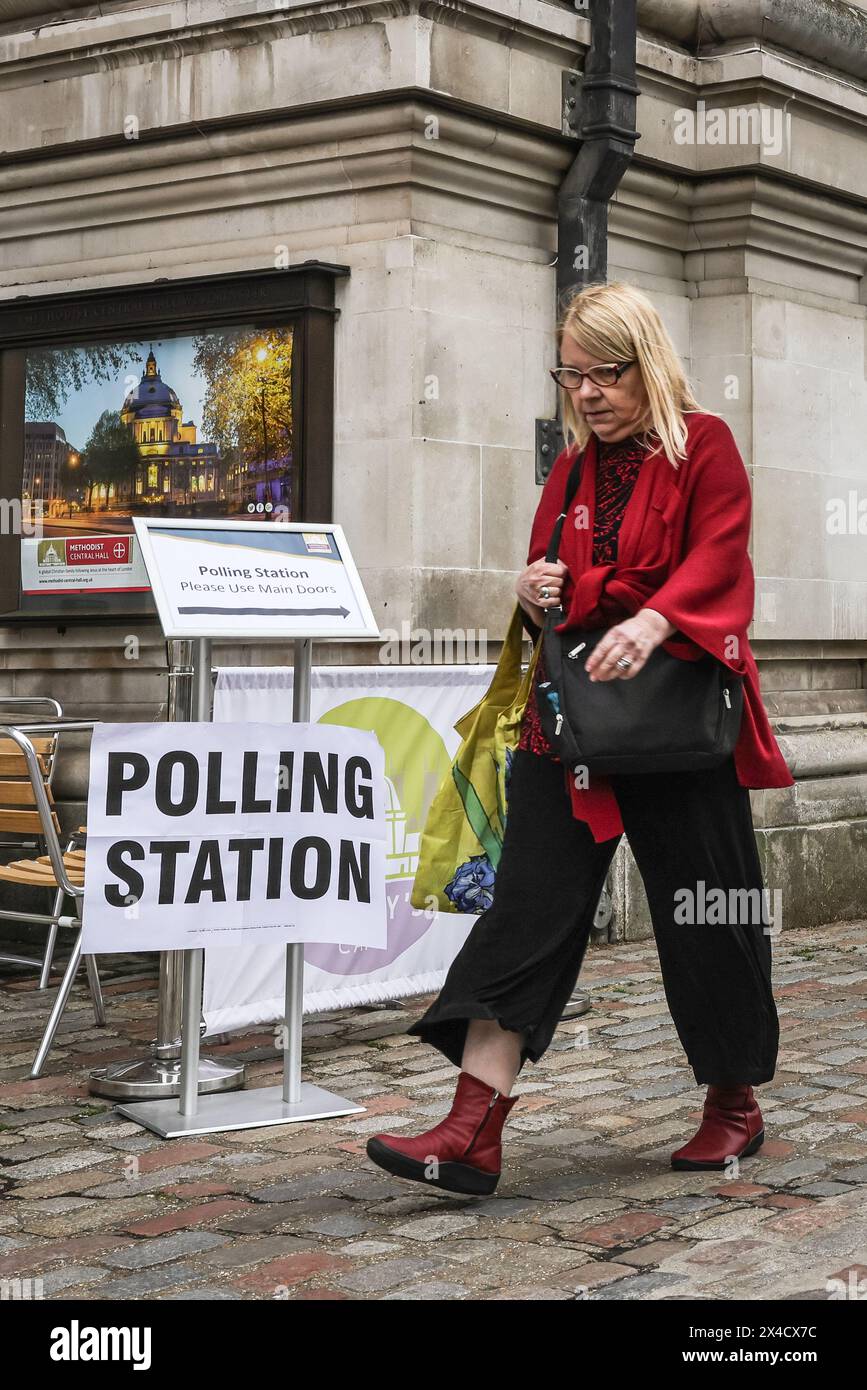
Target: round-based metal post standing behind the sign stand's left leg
[(159, 1077)]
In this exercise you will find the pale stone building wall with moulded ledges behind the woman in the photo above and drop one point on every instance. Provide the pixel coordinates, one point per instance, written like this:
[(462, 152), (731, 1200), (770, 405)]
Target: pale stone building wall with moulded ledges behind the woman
[(420, 144)]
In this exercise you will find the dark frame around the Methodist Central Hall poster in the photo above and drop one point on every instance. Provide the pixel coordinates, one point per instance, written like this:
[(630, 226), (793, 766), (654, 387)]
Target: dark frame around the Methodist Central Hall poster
[(301, 297)]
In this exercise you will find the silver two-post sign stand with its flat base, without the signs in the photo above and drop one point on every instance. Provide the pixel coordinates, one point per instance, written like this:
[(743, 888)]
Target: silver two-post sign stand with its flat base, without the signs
[(295, 1100)]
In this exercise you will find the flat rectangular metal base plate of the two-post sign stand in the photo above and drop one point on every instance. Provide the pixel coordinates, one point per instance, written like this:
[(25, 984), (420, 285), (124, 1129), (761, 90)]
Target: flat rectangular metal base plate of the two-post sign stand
[(241, 1110)]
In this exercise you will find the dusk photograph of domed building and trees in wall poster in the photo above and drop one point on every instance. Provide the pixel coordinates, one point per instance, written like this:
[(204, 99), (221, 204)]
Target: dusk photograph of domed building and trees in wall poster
[(141, 412)]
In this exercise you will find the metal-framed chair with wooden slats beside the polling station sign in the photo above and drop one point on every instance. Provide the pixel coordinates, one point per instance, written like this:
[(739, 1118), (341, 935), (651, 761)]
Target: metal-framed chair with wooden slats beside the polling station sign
[(59, 869)]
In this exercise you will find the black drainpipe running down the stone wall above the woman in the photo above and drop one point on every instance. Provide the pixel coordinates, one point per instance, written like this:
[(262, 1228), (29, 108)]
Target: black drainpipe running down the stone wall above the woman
[(600, 111)]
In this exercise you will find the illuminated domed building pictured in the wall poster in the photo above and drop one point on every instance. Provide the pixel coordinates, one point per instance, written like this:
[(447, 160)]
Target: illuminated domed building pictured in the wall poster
[(176, 468)]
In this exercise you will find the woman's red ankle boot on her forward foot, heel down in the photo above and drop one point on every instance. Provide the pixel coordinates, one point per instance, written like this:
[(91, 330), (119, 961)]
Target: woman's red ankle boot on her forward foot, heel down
[(462, 1153)]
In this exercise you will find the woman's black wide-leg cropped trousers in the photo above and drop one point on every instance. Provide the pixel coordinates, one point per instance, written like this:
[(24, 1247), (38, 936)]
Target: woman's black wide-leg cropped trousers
[(691, 833)]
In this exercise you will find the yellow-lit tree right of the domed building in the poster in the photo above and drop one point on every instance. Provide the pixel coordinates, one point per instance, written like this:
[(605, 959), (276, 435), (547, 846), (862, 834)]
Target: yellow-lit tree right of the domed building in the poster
[(248, 401)]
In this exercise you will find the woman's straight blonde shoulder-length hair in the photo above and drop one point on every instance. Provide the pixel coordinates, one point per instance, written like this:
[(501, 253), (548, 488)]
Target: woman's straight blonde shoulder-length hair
[(618, 323)]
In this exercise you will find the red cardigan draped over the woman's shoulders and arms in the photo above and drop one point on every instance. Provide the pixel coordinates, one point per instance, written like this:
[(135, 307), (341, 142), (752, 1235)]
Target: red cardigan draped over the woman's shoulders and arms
[(683, 551)]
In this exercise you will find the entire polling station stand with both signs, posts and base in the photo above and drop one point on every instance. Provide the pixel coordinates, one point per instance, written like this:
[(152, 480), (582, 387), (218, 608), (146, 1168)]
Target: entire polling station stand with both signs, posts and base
[(319, 872)]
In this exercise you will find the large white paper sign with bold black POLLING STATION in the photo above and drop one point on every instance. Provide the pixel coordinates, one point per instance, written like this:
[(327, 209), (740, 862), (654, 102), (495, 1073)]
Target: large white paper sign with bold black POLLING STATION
[(210, 835)]
